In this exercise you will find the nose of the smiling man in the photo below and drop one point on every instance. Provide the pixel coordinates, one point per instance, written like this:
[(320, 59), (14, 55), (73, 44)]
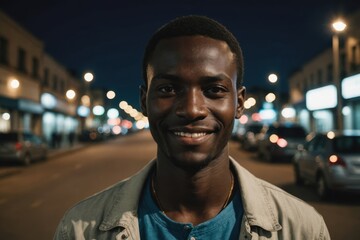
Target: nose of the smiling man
[(191, 105)]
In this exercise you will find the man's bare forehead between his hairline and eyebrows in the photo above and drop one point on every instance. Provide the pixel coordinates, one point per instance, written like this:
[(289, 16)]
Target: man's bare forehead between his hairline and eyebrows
[(191, 52)]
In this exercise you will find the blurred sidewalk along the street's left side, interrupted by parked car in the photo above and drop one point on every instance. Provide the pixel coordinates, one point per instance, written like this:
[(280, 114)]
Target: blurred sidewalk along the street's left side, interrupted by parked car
[(10, 169)]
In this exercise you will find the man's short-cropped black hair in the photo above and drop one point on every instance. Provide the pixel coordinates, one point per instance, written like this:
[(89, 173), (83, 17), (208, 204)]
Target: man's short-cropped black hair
[(190, 26)]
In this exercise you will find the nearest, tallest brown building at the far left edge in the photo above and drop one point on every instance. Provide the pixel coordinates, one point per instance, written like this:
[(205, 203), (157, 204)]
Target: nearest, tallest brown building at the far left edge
[(20, 77)]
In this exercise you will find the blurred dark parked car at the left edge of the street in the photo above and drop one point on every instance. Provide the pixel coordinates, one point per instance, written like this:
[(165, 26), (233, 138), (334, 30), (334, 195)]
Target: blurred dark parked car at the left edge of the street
[(22, 147)]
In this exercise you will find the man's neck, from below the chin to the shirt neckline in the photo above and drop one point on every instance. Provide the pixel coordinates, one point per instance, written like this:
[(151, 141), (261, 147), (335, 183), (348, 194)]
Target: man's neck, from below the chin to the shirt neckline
[(193, 197)]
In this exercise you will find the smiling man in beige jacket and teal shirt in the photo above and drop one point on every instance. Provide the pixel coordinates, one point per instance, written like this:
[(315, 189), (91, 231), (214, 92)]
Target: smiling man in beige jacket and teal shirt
[(193, 91)]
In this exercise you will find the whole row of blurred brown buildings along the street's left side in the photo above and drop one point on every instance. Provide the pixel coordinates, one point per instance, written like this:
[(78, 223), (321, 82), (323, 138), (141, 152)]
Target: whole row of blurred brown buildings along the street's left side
[(34, 86)]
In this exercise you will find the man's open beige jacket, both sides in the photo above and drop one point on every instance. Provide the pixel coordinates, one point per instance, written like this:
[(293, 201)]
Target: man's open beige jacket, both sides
[(269, 212)]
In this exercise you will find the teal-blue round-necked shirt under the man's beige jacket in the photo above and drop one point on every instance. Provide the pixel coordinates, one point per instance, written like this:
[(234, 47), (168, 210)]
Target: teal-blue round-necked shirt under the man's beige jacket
[(156, 225)]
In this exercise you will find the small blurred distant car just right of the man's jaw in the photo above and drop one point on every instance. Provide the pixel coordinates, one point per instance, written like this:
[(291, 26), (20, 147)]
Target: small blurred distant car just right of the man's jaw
[(249, 139)]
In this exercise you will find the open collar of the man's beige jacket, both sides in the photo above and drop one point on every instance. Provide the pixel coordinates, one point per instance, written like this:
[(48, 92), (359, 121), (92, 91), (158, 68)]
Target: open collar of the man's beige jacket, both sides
[(255, 200)]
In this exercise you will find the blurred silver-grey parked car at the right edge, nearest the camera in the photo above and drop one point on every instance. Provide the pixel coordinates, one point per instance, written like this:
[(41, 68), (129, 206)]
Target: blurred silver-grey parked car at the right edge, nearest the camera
[(331, 160)]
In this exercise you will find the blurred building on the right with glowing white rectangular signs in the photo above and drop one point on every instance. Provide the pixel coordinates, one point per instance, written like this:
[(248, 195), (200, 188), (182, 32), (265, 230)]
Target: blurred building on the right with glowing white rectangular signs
[(321, 102)]
